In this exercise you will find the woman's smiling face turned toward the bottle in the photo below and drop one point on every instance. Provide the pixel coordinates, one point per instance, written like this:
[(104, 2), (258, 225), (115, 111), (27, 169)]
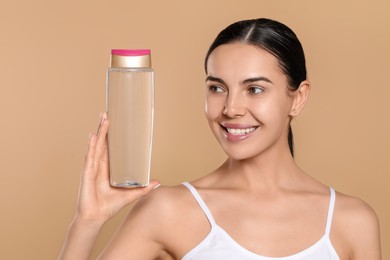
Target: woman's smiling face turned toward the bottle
[(248, 104)]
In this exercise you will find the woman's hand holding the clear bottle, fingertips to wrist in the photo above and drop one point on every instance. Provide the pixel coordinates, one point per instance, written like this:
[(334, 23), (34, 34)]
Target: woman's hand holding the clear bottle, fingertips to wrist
[(98, 201)]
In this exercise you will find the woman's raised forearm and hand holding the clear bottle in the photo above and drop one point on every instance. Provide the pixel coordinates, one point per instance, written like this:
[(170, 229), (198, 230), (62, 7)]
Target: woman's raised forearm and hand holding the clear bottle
[(97, 201)]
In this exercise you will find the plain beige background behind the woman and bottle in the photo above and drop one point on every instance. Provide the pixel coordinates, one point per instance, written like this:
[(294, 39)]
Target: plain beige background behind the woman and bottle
[(53, 58)]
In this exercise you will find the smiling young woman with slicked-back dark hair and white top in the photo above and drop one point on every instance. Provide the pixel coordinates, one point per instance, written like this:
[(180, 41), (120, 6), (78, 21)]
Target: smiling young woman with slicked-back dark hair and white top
[(259, 204)]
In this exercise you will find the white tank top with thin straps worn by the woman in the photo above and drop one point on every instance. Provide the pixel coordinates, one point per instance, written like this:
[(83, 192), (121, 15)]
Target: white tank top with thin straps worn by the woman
[(218, 245)]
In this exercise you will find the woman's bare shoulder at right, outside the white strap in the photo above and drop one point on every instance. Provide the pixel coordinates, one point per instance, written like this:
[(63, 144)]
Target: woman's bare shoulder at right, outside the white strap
[(356, 228)]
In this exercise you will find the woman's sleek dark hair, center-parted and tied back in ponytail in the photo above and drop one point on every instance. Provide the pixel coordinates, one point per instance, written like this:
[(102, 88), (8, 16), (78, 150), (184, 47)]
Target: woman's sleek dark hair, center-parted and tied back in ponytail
[(275, 38)]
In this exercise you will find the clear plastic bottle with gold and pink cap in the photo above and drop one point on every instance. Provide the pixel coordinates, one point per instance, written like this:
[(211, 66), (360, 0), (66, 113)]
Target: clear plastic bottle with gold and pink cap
[(130, 109)]
